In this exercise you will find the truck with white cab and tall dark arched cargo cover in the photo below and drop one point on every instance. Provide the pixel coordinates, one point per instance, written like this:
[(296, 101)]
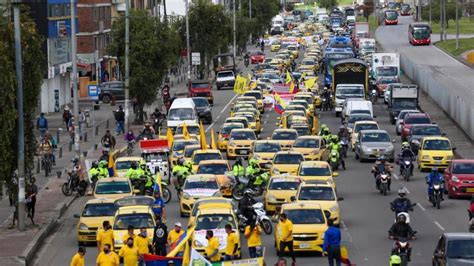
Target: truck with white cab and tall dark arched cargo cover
[(350, 80)]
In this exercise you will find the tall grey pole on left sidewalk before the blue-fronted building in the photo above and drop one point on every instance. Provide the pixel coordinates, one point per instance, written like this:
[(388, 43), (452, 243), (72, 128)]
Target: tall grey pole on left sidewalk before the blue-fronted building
[(77, 144)]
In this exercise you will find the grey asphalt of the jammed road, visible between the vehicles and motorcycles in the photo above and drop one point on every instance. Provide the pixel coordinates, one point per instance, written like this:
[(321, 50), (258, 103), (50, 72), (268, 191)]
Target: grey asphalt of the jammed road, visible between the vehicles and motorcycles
[(366, 216)]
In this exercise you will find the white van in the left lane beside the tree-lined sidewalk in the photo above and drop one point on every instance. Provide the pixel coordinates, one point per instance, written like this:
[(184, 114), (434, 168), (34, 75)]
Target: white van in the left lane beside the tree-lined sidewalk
[(182, 111)]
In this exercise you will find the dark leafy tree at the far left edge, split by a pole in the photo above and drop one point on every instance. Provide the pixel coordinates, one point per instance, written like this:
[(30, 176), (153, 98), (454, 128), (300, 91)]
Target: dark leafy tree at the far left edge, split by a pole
[(33, 69)]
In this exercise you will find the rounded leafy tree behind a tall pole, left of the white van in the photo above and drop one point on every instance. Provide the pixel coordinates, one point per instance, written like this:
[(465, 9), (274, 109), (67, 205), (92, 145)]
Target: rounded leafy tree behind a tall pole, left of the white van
[(154, 47)]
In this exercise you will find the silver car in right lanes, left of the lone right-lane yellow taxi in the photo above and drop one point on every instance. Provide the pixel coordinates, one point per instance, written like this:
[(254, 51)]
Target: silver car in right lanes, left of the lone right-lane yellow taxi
[(371, 144)]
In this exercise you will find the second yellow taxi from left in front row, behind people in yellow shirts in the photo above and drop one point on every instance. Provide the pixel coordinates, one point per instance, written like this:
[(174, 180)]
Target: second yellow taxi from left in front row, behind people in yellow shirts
[(133, 211)]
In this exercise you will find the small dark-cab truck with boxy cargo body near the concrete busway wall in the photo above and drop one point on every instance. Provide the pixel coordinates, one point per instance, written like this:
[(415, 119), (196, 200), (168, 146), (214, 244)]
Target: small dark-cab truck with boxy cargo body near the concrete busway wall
[(402, 97)]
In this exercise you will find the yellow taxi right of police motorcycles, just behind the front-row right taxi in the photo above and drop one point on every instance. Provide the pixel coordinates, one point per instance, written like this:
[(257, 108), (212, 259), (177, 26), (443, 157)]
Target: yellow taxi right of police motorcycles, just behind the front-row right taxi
[(279, 190)]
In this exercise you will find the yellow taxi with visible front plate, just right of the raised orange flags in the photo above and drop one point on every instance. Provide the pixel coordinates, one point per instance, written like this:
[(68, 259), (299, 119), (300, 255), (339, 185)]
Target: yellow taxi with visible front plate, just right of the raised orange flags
[(240, 141)]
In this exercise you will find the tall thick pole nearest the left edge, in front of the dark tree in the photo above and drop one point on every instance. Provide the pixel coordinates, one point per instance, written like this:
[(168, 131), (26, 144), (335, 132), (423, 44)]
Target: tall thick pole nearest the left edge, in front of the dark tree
[(21, 122)]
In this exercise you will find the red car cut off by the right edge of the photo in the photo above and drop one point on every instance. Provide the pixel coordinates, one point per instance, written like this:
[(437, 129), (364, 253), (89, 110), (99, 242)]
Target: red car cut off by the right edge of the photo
[(459, 178)]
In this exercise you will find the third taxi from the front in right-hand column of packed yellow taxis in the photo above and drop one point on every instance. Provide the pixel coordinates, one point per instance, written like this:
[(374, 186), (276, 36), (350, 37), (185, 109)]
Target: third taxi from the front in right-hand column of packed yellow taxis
[(310, 171)]
